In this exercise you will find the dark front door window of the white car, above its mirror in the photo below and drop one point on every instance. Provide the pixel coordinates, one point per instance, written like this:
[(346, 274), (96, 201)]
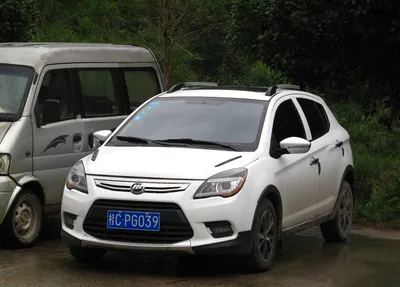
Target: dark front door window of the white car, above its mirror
[(287, 123)]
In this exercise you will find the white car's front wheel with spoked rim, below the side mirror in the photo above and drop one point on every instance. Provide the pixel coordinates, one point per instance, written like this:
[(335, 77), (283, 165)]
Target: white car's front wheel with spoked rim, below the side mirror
[(260, 259)]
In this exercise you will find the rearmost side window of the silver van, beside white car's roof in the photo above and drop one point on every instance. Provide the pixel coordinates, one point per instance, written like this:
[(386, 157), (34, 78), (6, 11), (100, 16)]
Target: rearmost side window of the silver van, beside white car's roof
[(141, 85)]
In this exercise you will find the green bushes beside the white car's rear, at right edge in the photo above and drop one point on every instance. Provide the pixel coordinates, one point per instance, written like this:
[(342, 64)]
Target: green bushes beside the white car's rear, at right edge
[(375, 150)]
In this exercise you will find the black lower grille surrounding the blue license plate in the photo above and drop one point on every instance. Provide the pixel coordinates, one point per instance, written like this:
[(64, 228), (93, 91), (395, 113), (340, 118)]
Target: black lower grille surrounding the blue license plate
[(174, 226)]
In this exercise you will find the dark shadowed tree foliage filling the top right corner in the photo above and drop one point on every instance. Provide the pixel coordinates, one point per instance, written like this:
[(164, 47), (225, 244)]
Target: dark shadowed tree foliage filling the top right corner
[(335, 42)]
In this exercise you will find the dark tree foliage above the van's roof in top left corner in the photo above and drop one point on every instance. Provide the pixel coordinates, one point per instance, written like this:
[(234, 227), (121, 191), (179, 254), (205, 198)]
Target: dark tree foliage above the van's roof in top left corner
[(18, 20)]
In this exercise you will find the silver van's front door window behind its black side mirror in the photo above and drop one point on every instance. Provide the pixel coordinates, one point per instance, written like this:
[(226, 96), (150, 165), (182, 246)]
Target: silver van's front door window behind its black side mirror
[(56, 85)]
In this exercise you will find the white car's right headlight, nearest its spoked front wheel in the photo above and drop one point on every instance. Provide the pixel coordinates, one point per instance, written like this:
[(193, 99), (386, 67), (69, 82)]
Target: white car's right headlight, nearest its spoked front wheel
[(224, 184)]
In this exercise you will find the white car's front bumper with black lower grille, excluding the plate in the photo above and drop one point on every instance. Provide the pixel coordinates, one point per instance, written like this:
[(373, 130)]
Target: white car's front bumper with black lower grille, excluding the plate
[(193, 215)]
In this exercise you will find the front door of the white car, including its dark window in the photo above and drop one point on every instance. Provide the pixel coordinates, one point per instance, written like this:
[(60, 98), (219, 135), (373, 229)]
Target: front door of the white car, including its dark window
[(296, 173)]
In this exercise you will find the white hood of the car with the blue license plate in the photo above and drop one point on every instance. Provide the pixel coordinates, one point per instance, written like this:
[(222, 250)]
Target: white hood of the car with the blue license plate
[(162, 162)]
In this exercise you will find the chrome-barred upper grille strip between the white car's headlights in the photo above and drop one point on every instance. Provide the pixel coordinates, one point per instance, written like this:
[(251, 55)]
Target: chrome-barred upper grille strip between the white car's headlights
[(150, 187)]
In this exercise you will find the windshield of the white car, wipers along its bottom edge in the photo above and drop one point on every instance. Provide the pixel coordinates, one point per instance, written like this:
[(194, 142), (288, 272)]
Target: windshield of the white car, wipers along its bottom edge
[(213, 123)]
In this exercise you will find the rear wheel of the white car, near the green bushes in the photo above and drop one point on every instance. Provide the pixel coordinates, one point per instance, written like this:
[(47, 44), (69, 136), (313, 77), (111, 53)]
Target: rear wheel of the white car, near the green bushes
[(338, 228)]
